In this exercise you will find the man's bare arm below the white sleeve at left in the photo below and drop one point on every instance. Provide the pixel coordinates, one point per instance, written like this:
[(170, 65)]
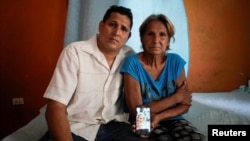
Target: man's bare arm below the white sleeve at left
[(57, 121)]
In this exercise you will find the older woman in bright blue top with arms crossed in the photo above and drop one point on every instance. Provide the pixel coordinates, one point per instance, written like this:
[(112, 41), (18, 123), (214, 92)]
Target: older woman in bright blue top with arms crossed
[(157, 79)]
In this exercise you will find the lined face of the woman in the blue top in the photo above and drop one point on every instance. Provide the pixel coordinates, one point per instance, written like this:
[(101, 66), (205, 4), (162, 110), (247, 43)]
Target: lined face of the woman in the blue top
[(155, 39)]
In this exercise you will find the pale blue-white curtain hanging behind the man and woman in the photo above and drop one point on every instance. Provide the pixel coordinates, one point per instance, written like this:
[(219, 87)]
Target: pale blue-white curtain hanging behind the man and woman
[(84, 15)]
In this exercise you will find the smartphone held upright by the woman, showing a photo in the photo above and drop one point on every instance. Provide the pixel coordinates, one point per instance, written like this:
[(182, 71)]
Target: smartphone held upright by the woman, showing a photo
[(143, 120)]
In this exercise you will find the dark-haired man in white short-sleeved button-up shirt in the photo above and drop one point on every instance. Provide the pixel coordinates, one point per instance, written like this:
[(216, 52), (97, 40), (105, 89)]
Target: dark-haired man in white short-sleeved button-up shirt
[(84, 100)]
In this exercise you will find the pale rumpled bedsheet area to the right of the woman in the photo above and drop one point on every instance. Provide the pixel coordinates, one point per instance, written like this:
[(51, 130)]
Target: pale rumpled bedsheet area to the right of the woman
[(225, 108)]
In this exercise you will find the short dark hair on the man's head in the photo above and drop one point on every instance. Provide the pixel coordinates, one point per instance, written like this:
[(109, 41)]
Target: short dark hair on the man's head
[(119, 9)]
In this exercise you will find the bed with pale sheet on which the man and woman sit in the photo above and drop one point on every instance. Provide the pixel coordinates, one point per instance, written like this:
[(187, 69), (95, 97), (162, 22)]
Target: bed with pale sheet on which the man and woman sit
[(207, 108)]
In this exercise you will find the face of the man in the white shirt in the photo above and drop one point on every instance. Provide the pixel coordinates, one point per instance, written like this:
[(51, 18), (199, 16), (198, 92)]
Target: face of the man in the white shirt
[(113, 33)]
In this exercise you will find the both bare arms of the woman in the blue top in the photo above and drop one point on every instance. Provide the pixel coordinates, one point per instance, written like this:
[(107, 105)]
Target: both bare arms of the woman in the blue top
[(159, 109)]
